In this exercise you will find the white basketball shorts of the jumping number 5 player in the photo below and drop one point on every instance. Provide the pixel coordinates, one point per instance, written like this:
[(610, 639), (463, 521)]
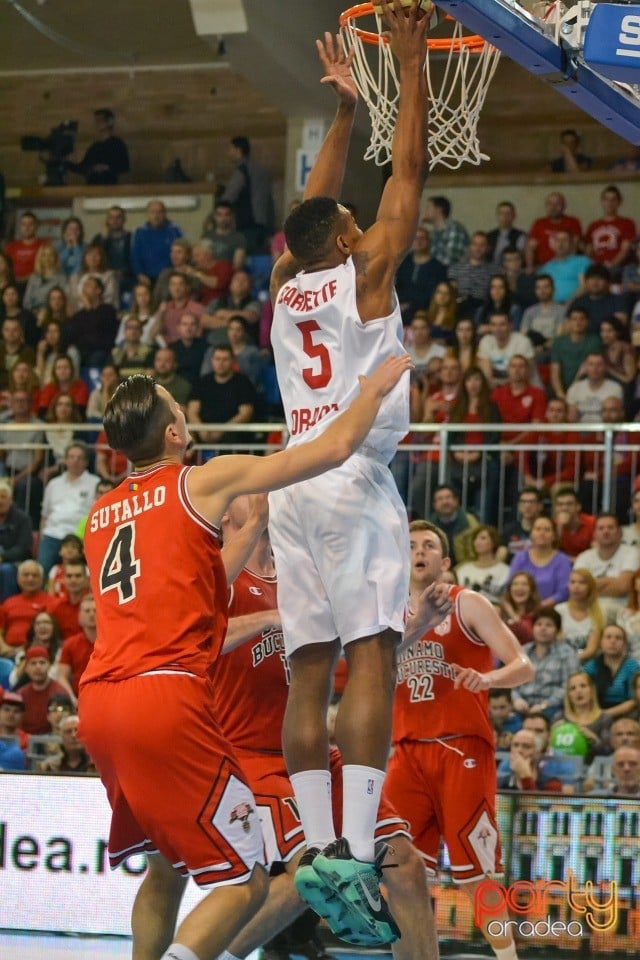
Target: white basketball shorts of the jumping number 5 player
[(341, 546)]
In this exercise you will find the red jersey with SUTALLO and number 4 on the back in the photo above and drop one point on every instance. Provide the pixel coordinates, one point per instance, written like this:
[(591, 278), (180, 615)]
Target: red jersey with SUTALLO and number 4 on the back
[(157, 577)]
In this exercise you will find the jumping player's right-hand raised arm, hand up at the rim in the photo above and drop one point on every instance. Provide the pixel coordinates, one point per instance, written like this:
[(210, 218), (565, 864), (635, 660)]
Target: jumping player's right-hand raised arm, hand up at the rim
[(399, 208)]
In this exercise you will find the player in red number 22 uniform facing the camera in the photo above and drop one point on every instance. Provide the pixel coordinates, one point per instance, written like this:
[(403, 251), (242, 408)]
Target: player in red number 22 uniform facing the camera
[(442, 774)]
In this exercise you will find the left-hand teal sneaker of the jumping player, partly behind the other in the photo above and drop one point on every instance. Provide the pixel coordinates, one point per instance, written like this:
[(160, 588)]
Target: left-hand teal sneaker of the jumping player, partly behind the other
[(344, 921)]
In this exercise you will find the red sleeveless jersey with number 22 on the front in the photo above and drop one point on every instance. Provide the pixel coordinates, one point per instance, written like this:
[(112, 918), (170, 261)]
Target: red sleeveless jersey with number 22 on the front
[(427, 707)]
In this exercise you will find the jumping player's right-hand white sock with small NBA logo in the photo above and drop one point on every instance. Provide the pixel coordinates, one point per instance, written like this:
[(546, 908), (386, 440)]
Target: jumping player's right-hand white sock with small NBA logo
[(361, 789)]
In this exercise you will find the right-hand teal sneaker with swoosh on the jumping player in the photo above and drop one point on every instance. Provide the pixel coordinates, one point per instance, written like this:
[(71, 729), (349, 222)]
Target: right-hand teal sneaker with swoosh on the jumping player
[(357, 884)]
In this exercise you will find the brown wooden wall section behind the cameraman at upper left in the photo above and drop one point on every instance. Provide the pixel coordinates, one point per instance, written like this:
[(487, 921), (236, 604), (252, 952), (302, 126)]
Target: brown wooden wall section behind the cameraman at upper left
[(163, 115)]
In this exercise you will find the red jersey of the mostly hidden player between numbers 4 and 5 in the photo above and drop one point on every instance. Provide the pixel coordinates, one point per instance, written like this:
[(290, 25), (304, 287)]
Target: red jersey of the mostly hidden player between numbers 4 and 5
[(250, 682)]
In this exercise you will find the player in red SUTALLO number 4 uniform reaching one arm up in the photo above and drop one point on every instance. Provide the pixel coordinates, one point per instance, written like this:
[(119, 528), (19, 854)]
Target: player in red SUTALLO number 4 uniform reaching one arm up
[(160, 584)]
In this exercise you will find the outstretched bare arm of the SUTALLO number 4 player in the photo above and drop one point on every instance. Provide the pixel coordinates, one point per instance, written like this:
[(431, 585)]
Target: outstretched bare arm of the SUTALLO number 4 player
[(215, 484)]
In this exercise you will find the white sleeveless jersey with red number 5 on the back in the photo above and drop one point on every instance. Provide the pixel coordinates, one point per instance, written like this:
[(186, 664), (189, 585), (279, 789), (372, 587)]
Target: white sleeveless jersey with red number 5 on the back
[(321, 347)]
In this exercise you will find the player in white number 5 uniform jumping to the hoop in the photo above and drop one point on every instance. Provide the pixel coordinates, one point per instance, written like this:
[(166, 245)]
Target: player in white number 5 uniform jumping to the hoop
[(341, 546)]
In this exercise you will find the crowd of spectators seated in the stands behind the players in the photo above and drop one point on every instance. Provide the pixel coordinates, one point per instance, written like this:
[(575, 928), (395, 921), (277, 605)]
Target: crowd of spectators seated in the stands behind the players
[(533, 328)]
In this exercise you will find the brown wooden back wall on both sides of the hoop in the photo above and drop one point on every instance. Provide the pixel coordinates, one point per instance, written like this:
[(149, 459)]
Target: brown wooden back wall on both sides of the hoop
[(192, 114)]
